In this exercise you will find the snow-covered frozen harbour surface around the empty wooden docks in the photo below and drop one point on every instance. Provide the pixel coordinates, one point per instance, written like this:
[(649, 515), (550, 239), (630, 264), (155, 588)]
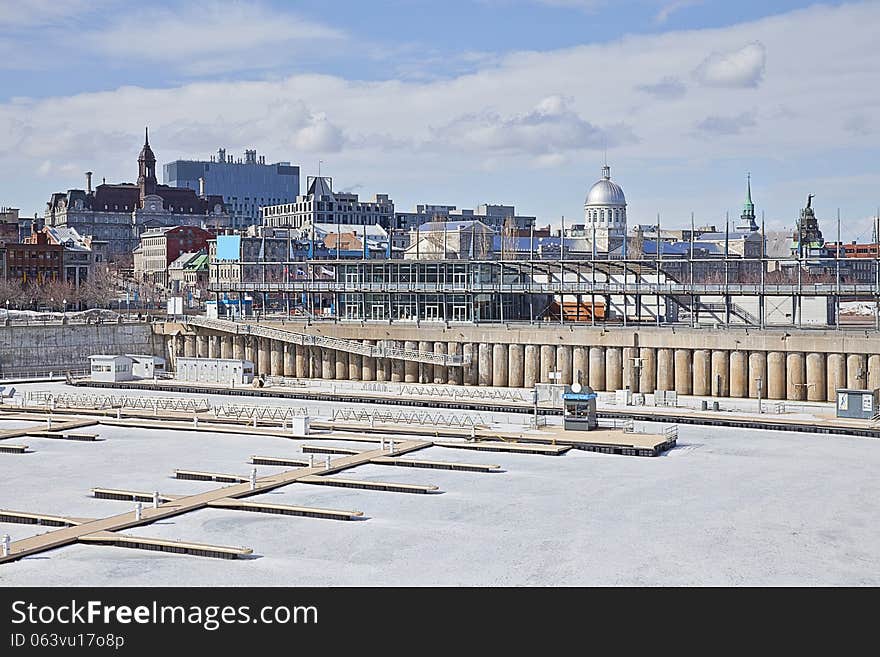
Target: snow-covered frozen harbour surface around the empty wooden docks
[(727, 507)]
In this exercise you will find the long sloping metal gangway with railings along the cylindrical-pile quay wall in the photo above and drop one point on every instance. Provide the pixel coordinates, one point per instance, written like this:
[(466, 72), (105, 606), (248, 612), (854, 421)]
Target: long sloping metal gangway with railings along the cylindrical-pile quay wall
[(309, 340)]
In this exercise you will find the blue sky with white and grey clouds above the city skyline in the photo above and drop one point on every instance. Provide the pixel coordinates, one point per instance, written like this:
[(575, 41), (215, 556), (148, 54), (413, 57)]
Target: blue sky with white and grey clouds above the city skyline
[(461, 102)]
